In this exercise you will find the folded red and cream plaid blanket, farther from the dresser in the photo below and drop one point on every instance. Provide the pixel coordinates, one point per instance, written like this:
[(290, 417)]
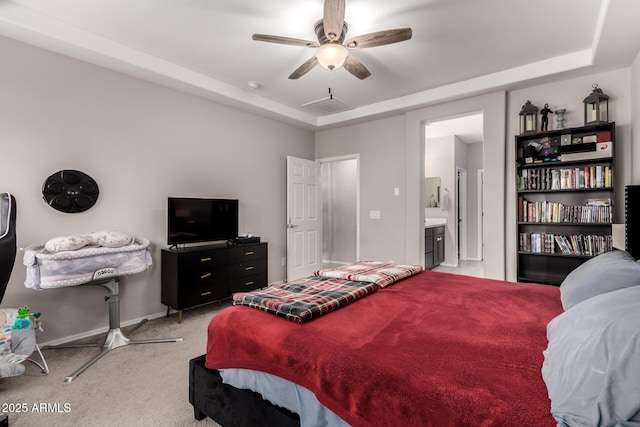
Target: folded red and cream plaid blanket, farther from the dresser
[(381, 273)]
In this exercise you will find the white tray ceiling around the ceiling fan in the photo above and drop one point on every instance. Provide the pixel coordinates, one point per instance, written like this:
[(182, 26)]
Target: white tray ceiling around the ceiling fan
[(459, 47)]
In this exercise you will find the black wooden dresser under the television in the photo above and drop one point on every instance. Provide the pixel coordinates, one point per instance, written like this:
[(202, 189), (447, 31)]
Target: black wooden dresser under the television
[(203, 274)]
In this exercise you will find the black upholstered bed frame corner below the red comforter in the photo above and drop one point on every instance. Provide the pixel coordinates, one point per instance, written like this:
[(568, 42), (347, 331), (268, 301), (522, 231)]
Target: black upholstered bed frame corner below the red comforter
[(230, 406)]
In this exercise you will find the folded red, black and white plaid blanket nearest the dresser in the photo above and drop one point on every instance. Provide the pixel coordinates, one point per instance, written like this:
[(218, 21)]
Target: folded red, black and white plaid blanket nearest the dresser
[(305, 299)]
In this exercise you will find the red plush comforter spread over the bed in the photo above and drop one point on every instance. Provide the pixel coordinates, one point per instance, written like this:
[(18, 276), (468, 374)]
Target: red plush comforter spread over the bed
[(435, 349)]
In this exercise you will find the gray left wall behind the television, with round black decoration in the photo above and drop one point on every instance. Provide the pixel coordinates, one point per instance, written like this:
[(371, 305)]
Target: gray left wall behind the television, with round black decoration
[(142, 143)]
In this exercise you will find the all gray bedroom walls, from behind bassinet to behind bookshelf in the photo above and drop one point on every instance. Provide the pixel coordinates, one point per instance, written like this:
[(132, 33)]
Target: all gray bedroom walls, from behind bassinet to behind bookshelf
[(142, 142)]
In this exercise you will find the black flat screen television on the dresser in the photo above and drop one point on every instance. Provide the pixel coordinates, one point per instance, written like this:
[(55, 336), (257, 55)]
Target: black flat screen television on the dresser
[(192, 220)]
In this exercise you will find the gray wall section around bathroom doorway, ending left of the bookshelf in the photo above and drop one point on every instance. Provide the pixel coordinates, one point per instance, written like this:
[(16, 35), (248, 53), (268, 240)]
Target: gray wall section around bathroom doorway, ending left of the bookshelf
[(393, 155)]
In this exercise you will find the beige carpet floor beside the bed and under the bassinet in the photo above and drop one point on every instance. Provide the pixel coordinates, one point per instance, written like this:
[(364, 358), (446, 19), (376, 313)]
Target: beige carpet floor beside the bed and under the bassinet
[(135, 385)]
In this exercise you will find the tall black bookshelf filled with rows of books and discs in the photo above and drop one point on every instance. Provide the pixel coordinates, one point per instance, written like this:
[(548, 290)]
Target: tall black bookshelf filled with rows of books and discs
[(565, 195)]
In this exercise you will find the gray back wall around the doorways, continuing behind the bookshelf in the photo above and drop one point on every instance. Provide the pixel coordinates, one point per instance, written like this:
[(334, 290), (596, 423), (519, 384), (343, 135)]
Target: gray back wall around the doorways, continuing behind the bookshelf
[(382, 149)]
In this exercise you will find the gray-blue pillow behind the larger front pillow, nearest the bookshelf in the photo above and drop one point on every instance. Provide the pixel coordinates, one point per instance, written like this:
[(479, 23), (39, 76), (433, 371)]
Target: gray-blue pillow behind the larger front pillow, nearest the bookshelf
[(605, 273)]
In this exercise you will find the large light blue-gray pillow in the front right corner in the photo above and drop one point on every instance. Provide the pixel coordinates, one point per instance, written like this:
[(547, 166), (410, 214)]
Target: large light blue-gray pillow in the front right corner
[(591, 365)]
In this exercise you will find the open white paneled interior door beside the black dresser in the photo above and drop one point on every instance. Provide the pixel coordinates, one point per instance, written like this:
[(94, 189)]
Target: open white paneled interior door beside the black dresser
[(304, 218)]
